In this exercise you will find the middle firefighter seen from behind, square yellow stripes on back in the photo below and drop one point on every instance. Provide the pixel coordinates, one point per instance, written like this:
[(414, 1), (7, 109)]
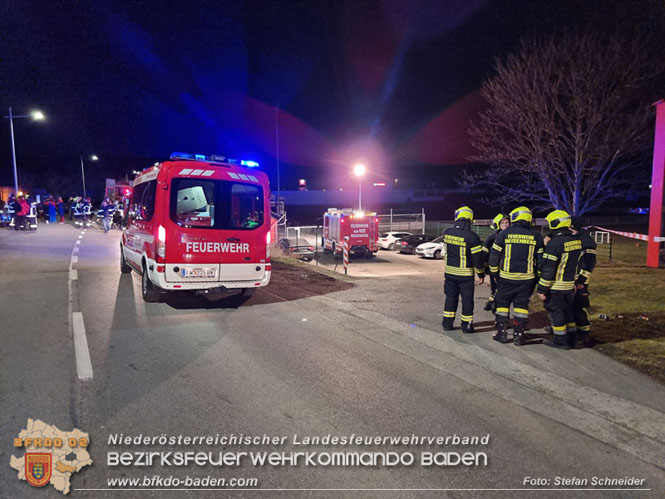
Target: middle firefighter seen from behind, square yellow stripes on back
[(514, 260)]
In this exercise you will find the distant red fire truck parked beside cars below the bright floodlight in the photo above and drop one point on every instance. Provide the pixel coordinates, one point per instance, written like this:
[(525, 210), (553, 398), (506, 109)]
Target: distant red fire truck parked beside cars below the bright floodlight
[(362, 229)]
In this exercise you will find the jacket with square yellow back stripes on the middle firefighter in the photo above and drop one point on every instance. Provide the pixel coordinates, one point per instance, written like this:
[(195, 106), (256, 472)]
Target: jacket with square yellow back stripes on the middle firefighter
[(516, 253)]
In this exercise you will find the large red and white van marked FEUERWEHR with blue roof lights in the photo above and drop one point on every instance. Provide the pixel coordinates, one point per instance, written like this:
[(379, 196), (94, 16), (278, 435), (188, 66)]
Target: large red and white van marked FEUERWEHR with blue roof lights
[(198, 223)]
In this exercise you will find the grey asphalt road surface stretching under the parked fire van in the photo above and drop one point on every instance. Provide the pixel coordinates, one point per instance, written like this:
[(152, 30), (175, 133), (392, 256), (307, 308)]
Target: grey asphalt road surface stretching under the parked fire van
[(368, 361)]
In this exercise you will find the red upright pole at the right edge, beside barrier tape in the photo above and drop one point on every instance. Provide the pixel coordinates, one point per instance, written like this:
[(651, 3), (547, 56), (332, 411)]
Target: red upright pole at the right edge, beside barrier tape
[(657, 181)]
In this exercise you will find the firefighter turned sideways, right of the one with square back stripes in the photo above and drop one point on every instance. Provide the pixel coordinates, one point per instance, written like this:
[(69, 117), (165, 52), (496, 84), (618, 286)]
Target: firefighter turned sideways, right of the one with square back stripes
[(557, 282)]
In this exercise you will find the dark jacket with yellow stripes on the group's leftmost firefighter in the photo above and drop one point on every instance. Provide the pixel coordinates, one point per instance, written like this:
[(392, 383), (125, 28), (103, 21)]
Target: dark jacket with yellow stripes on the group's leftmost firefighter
[(464, 252)]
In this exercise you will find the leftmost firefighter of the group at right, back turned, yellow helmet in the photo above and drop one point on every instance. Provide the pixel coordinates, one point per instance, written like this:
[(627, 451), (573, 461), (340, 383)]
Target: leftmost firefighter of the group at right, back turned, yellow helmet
[(463, 260)]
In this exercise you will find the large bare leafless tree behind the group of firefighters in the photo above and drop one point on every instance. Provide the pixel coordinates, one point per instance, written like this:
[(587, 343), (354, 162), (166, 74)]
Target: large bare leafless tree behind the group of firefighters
[(568, 118)]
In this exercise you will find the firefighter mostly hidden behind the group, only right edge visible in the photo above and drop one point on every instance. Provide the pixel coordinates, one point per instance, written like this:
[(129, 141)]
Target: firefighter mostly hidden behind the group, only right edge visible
[(586, 265)]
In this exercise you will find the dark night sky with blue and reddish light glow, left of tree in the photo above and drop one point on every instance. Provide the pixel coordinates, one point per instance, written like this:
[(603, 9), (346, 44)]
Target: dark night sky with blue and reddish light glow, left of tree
[(393, 82)]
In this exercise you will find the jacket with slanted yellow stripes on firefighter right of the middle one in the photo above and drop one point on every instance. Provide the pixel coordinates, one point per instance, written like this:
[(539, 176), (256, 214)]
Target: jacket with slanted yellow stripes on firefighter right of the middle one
[(560, 260)]
